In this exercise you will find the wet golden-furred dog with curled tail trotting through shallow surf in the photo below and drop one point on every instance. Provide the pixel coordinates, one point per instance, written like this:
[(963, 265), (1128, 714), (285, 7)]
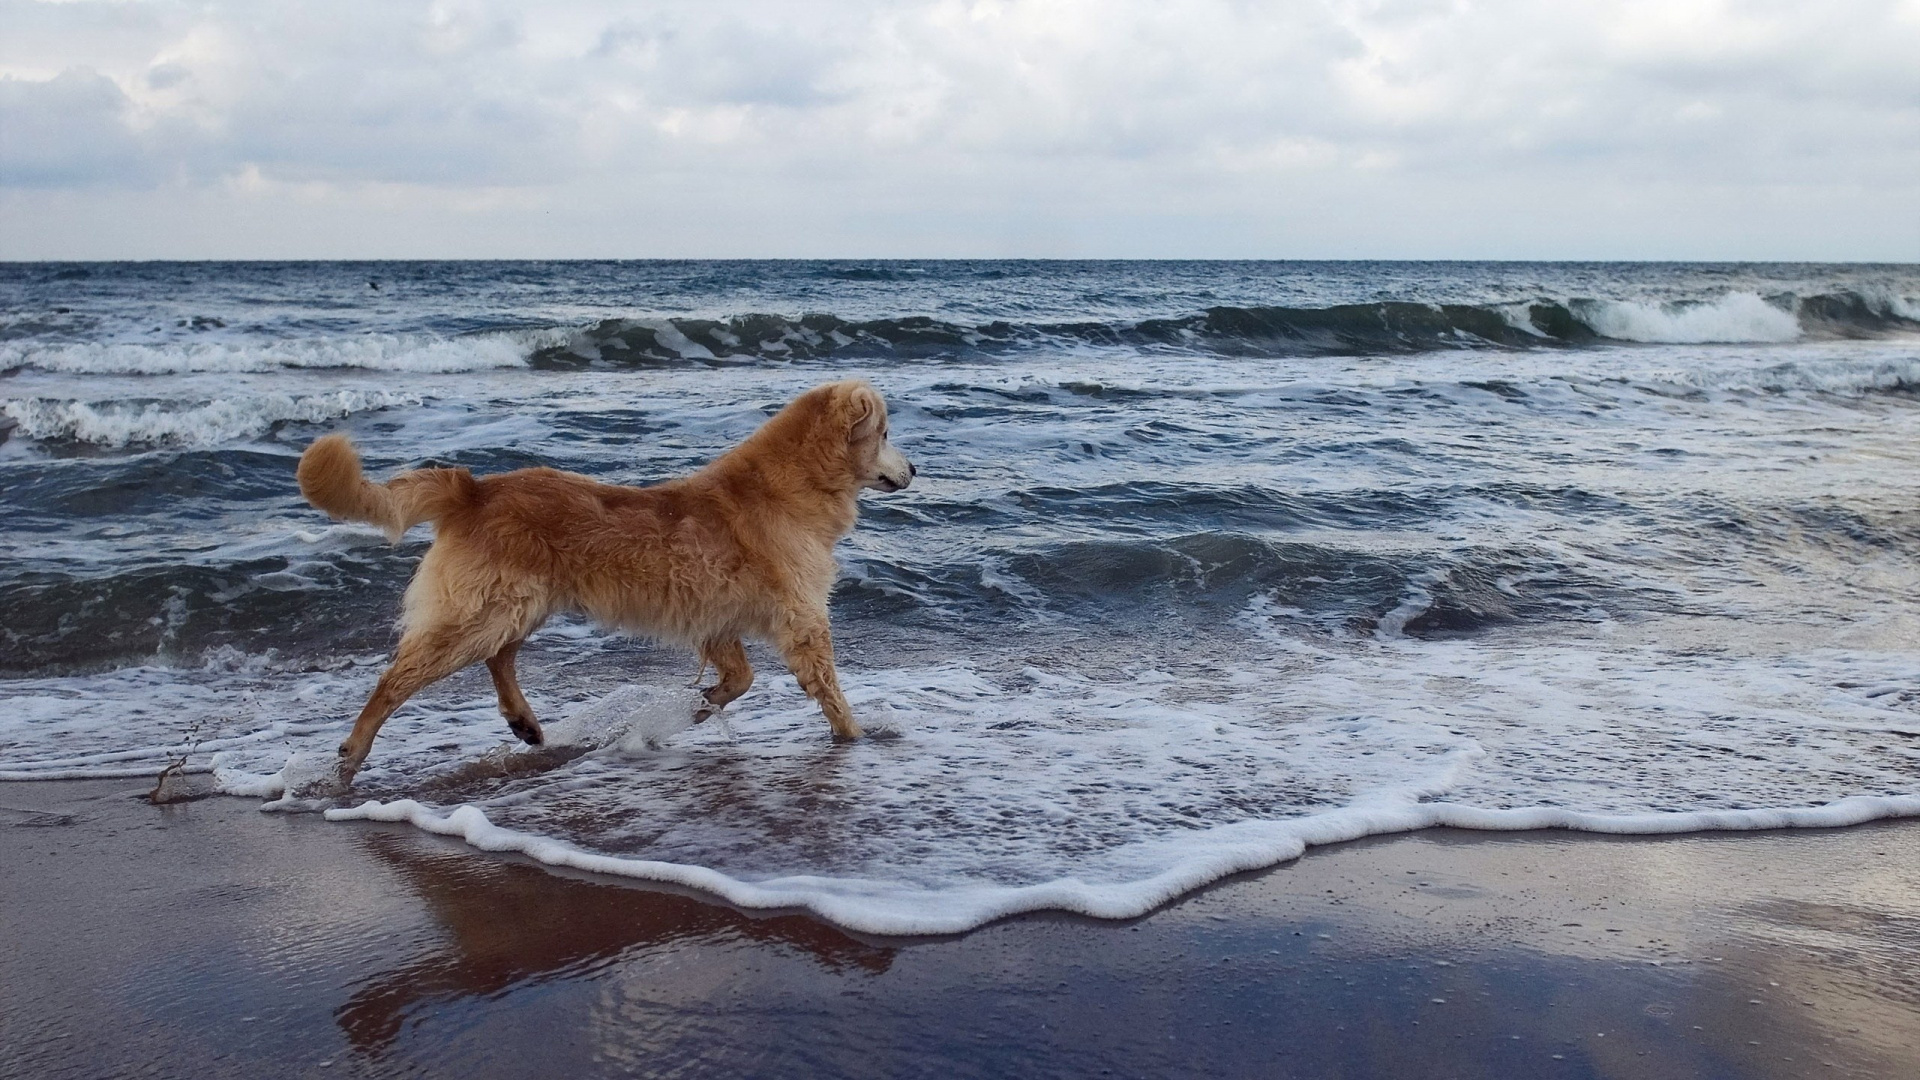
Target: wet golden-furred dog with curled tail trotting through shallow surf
[(742, 549)]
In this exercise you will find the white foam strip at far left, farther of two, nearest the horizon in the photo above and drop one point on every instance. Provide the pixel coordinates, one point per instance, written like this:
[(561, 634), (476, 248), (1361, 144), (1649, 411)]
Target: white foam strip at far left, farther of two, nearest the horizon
[(377, 353)]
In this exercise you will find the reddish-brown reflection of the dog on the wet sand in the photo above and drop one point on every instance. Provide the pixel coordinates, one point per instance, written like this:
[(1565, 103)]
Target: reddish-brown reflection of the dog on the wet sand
[(510, 925)]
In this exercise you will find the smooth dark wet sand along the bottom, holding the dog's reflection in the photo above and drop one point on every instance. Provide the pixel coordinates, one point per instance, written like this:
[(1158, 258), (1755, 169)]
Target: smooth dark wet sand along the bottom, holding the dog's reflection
[(214, 941)]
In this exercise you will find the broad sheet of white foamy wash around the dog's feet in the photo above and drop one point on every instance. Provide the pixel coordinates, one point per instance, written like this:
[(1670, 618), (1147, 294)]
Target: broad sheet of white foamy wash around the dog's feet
[(1034, 789)]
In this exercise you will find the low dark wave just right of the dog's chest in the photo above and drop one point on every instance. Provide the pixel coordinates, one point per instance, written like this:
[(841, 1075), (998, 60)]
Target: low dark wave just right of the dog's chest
[(1337, 585)]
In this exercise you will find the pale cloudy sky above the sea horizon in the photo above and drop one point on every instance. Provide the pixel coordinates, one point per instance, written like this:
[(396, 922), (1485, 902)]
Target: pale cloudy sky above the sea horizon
[(1769, 130)]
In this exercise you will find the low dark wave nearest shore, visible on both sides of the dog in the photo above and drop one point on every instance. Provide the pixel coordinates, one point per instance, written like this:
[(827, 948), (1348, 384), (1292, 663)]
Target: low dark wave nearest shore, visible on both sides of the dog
[(329, 602)]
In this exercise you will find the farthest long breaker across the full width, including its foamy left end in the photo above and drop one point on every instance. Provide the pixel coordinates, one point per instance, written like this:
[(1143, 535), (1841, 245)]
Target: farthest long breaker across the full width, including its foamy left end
[(1251, 331)]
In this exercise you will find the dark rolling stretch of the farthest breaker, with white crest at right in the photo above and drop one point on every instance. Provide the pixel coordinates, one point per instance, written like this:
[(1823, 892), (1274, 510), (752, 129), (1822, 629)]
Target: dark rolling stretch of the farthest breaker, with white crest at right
[(1349, 330)]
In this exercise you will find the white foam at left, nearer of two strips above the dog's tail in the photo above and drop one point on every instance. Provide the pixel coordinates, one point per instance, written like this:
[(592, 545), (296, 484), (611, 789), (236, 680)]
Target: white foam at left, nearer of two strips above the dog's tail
[(189, 424)]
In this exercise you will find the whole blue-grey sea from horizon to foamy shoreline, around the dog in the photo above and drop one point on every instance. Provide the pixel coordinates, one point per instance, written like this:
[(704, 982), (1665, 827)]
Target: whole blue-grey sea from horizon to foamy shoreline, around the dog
[(1207, 562)]
